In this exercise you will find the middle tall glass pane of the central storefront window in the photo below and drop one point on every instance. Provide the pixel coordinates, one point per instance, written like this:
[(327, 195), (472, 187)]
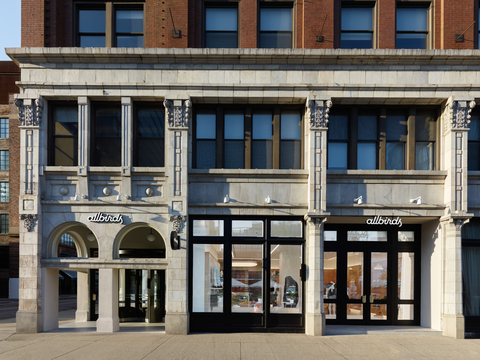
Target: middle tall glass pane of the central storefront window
[(247, 278)]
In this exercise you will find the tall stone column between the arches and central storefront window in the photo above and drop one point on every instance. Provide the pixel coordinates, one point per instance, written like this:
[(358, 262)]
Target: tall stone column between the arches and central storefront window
[(178, 115)]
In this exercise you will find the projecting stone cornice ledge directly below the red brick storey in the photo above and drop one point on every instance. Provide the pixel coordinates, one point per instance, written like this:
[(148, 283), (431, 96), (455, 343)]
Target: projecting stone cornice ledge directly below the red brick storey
[(244, 56)]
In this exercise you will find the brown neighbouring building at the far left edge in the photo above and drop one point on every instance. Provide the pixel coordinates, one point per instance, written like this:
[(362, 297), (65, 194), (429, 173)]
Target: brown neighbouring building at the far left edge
[(9, 179)]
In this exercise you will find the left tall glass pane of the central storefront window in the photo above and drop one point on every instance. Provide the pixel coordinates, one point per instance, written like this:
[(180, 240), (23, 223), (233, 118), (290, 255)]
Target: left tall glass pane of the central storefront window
[(207, 294)]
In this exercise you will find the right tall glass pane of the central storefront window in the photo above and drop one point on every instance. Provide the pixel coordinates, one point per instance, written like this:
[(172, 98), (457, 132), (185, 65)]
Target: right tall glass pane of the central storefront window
[(285, 282)]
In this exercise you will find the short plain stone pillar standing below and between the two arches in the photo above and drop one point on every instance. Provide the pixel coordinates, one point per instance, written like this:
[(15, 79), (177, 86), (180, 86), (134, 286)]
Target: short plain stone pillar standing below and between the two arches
[(108, 300)]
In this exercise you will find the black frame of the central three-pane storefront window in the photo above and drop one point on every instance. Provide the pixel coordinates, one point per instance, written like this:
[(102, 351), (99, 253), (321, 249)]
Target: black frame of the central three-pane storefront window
[(227, 320)]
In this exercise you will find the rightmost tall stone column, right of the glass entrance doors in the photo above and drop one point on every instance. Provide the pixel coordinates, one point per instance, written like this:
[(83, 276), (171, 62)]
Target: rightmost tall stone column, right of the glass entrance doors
[(456, 118)]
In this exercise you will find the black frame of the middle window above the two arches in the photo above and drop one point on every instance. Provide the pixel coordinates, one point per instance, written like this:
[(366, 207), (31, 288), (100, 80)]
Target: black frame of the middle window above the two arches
[(94, 156)]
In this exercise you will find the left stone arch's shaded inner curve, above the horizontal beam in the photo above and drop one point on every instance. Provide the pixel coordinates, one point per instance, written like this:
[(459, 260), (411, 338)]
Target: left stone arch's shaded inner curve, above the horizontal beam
[(78, 231)]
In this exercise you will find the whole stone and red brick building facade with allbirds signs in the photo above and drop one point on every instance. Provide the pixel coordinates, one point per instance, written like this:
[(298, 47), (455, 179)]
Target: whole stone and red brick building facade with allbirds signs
[(245, 166)]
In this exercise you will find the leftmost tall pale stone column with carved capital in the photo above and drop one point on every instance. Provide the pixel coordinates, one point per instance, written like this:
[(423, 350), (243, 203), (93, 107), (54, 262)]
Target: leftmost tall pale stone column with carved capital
[(30, 314)]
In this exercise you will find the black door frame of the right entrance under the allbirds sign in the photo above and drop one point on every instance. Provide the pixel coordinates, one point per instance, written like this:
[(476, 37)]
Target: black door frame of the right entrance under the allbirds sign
[(392, 246)]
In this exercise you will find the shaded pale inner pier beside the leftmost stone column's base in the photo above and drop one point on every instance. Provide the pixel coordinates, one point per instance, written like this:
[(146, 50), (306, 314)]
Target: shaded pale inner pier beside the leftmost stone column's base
[(50, 298)]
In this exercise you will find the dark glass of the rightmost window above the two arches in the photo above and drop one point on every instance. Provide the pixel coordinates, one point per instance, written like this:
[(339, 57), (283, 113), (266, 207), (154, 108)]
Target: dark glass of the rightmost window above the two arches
[(149, 140)]
